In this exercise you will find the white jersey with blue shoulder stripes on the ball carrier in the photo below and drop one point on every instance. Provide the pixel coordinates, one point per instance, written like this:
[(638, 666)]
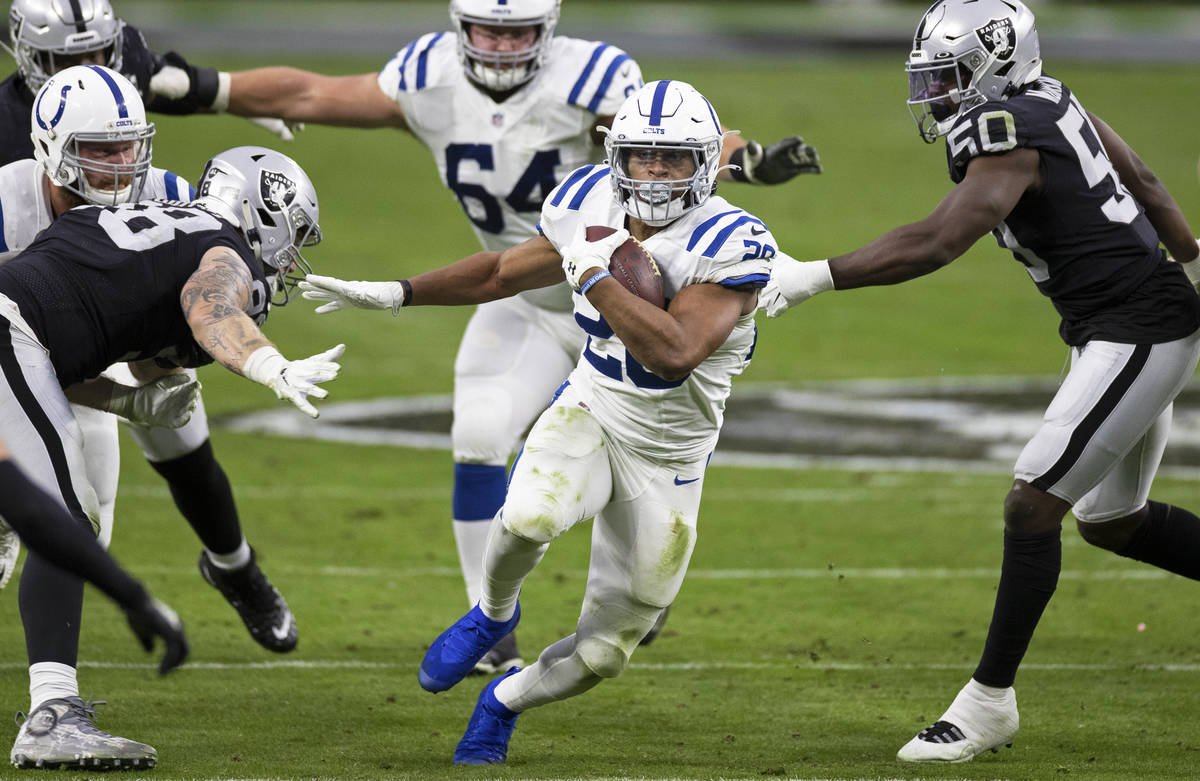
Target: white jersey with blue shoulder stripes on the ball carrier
[(718, 243)]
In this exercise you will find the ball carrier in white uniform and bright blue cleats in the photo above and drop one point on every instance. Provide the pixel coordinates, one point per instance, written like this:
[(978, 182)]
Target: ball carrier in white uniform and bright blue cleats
[(629, 434)]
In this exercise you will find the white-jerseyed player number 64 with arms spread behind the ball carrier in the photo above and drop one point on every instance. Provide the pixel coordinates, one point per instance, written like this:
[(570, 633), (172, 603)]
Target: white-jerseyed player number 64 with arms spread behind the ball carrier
[(507, 109)]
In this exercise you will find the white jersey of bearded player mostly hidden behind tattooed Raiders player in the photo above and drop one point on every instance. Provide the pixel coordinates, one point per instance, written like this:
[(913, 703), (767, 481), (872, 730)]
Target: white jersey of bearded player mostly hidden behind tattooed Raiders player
[(26, 202)]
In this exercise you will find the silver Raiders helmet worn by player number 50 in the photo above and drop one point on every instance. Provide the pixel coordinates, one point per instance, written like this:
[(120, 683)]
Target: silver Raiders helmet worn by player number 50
[(967, 53)]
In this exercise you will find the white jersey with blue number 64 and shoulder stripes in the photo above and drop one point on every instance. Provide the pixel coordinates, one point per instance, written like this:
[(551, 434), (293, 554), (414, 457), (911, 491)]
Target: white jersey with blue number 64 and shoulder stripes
[(502, 160)]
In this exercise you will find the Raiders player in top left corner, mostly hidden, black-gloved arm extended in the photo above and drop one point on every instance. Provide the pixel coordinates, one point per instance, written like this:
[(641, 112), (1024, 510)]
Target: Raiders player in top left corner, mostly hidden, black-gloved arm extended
[(50, 35)]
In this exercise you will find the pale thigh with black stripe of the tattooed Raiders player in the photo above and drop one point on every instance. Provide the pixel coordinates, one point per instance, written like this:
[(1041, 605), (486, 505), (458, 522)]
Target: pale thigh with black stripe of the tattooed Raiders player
[(39, 426)]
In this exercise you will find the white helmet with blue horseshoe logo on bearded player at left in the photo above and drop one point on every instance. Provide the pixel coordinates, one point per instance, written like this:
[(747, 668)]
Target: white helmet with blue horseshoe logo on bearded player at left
[(89, 121)]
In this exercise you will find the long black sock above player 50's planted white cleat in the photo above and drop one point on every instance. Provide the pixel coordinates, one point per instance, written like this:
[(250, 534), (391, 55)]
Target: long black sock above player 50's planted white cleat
[(1028, 580)]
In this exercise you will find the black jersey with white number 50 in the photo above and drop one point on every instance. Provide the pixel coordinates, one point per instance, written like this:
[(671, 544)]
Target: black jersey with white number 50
[(1084, 238)]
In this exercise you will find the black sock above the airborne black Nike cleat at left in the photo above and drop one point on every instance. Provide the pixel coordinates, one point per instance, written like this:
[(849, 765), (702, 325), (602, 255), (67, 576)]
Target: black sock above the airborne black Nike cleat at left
[(202, 492)]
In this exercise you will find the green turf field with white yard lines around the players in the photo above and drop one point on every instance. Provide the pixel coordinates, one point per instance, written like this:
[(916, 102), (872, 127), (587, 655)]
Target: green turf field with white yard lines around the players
[(829, 615)]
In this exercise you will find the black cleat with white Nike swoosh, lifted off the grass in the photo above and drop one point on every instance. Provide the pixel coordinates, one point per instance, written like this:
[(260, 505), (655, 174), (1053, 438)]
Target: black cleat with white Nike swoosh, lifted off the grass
[(261, 606)]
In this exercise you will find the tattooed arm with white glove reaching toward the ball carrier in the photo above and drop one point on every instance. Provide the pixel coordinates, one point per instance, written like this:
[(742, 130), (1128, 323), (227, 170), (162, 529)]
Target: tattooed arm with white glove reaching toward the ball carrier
[(214, 302)]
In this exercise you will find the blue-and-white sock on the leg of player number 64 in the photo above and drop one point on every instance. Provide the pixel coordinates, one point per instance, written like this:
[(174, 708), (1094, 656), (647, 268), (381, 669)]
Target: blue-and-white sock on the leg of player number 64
[(478, 496)]
